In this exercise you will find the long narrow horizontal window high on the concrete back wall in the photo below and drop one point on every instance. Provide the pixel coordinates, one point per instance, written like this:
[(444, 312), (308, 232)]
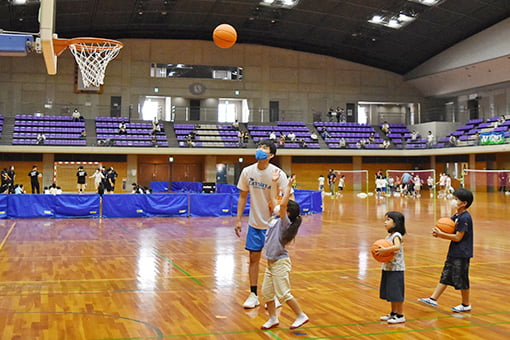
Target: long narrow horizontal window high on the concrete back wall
[(196, 71)]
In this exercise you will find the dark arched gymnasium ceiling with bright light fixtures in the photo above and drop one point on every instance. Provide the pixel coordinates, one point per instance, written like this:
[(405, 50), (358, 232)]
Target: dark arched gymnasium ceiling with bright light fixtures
[(337, 28)]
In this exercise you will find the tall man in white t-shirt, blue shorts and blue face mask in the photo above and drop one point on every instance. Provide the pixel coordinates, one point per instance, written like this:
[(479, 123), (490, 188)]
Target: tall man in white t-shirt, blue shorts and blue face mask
[(256, 180)]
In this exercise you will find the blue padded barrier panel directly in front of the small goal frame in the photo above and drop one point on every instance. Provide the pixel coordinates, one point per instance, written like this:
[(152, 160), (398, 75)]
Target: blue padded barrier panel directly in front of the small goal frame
[(77, 206)]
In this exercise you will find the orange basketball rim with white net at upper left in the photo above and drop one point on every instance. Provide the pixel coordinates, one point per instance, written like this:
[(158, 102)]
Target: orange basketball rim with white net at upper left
[(92, 56)]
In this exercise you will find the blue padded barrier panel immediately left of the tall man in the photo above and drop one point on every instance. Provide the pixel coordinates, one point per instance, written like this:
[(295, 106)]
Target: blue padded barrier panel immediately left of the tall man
[(210, 205)]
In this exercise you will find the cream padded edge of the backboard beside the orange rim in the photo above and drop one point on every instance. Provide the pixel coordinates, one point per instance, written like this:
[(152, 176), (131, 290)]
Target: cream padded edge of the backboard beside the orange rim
[(46, 31)]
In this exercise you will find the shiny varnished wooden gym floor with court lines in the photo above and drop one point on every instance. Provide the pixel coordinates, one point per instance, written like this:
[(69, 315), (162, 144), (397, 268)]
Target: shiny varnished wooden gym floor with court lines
[(186, 278)]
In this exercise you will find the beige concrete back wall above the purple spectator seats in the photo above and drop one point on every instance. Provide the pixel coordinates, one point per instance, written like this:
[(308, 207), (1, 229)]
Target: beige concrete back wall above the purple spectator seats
[(300, 82)]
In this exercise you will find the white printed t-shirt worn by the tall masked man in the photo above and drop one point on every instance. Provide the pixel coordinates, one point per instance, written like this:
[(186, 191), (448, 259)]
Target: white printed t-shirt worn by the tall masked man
[(258, 183)]
